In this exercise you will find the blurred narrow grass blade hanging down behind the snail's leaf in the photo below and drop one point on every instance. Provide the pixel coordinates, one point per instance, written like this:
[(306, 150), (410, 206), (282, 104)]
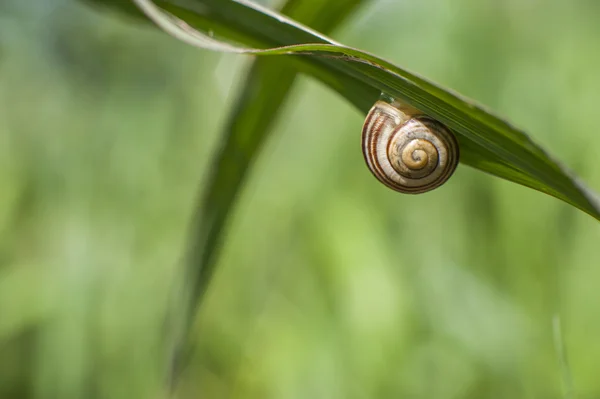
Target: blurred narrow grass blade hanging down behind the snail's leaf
[(264, 93)]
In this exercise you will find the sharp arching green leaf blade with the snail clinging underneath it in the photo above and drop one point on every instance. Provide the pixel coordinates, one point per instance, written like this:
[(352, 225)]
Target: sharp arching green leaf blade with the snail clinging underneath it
[(487, 142)]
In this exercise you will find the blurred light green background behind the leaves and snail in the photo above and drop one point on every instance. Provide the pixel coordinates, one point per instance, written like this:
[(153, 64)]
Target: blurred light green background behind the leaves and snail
[(329, 285)]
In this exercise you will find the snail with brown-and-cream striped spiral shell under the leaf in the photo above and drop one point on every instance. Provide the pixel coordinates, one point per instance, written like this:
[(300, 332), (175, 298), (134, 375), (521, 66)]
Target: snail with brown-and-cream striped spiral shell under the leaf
[(406, 150)]
